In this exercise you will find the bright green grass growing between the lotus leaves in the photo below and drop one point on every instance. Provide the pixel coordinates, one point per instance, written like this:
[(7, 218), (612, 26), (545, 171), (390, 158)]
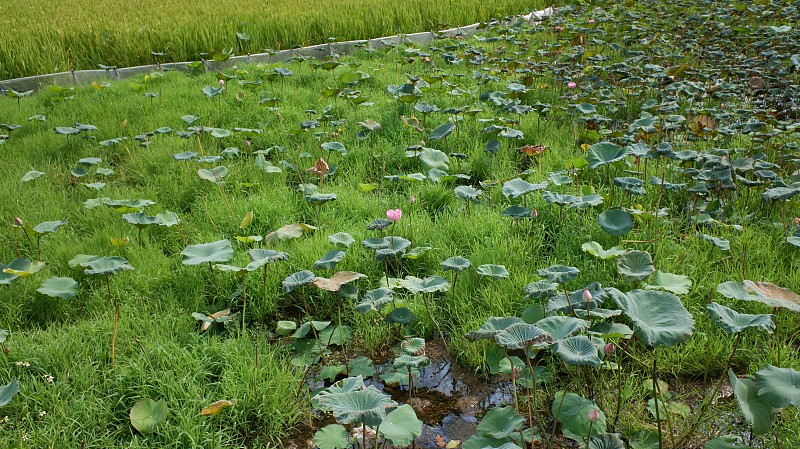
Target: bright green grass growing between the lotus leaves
[(87, 403)]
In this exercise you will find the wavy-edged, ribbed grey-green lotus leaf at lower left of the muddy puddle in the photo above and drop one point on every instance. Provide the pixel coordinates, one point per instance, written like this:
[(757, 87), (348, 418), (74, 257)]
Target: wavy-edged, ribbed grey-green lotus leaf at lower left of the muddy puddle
[(367, 406)]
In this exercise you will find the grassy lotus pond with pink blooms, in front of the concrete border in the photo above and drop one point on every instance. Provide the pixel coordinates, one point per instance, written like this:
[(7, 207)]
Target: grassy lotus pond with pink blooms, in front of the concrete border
[(574, 233)]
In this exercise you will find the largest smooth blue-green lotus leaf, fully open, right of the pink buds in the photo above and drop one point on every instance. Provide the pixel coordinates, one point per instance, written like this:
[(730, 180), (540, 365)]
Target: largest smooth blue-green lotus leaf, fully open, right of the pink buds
[(660, 319)]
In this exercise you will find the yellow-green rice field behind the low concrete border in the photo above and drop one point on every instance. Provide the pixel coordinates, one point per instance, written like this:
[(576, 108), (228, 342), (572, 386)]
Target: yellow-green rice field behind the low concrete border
[(80, 34)]
